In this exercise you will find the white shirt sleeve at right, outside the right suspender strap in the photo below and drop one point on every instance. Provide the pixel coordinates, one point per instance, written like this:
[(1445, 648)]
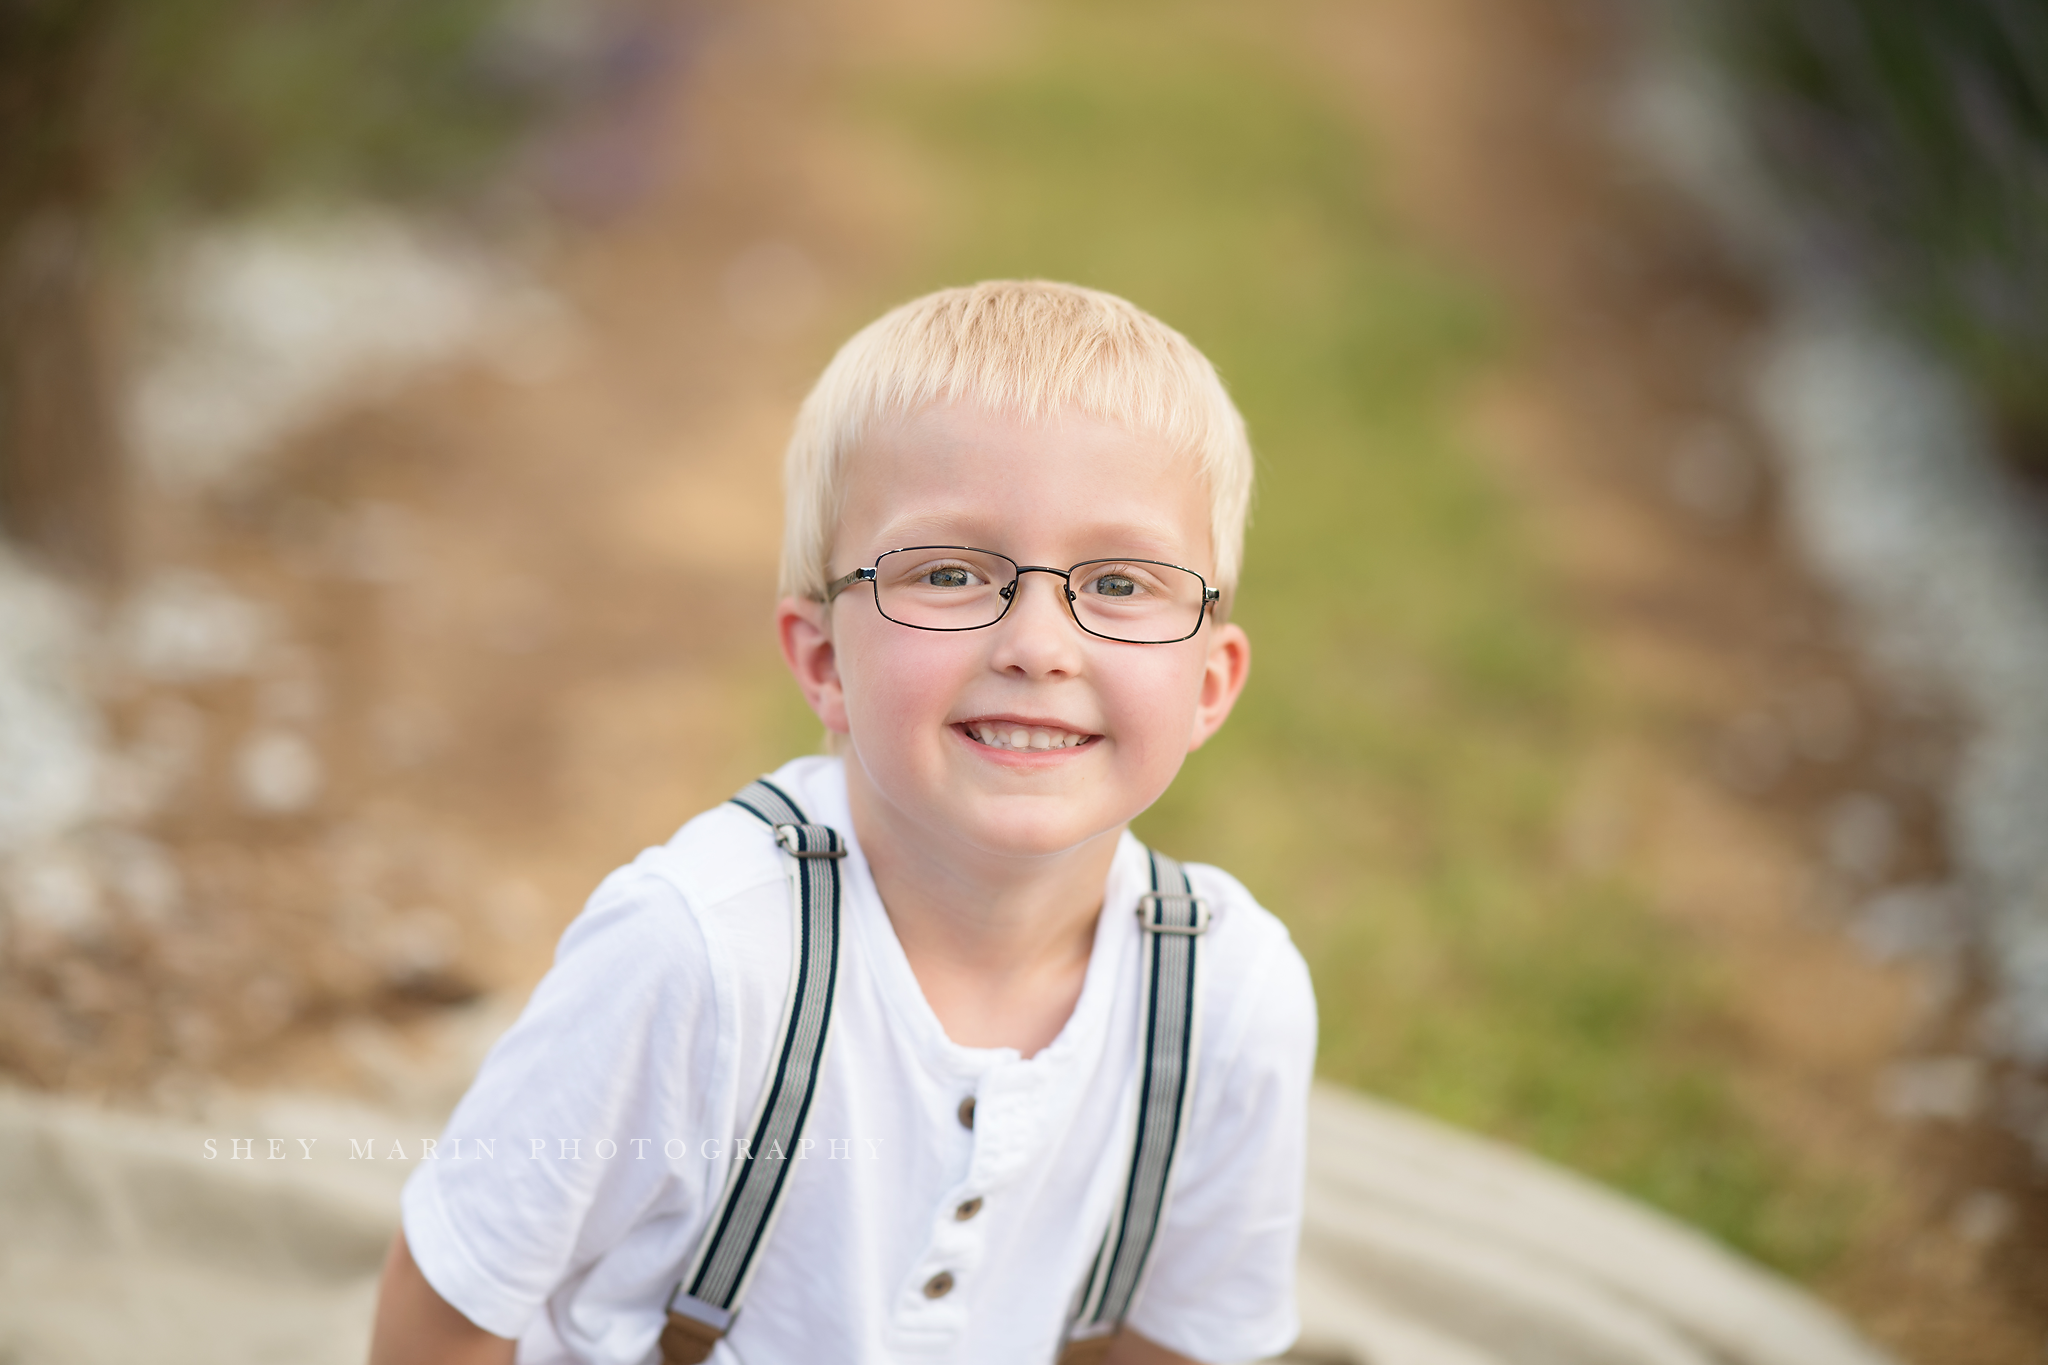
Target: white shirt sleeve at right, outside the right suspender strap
[(1222, 1286)]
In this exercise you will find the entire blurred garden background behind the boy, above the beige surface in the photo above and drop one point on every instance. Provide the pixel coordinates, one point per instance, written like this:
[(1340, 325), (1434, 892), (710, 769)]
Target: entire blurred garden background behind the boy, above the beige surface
[(1650, 574)]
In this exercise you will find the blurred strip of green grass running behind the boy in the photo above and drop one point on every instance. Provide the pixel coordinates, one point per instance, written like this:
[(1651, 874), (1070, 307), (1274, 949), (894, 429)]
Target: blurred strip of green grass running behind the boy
[(1390, 785)]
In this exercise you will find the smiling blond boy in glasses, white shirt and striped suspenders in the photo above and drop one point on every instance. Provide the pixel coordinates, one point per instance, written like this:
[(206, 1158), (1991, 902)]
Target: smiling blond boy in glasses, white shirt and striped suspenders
[(1015, 527)]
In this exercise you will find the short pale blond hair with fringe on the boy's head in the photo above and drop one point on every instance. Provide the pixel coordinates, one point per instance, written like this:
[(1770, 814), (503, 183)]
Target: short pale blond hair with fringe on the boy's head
[(1023, 349)]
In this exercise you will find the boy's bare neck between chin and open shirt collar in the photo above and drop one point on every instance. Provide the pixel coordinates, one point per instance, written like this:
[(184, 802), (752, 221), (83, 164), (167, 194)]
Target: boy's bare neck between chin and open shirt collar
[(998, 942)]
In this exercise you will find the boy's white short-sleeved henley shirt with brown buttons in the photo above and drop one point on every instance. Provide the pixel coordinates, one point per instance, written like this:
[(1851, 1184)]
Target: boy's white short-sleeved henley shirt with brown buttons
[(574, 1180)]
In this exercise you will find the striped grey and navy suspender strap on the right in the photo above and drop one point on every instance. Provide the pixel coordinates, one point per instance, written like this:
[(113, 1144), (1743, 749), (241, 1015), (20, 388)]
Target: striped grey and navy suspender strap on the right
[(1175, 922)]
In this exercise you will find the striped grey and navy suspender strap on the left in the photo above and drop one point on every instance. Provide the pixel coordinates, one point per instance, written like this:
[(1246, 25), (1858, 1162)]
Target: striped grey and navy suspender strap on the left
[(706, 1303)]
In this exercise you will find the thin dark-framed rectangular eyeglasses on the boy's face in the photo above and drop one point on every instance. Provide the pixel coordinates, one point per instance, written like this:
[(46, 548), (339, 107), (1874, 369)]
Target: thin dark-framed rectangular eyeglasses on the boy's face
[(962, 588)]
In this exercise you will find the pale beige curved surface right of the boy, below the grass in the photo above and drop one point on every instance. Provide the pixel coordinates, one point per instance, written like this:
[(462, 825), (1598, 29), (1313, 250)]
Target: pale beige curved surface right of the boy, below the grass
[(1426, 1245)]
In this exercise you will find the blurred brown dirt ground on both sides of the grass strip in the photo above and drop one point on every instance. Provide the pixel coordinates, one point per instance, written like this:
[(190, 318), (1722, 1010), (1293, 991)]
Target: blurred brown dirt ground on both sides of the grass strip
[(523, 609)]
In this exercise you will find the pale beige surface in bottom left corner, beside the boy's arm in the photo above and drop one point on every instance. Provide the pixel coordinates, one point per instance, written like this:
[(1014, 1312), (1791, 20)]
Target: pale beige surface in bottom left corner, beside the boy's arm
[(124, 1239)]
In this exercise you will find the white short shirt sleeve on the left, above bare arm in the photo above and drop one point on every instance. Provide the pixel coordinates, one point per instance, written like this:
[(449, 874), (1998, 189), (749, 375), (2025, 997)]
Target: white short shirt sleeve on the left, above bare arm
[(540, 1172)]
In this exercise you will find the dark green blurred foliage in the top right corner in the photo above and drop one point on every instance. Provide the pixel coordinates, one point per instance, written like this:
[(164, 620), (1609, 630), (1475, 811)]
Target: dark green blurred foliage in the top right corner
[(1916, 136)]
